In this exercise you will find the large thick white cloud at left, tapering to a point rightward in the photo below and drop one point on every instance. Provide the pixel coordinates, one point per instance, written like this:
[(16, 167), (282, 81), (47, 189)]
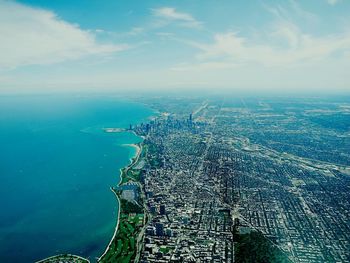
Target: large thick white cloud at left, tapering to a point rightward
[(36, 36)]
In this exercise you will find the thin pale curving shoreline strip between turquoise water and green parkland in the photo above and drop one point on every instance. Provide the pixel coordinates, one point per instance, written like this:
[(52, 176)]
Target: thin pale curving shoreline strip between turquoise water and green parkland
[(133, 160)]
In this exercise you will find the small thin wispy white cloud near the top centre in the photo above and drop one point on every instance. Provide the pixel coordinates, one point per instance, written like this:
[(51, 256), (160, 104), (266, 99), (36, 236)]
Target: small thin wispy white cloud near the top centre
[(171, 14)]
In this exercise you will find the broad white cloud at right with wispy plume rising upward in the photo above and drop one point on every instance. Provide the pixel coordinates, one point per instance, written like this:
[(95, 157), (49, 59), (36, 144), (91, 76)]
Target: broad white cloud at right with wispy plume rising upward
[(281, 43)]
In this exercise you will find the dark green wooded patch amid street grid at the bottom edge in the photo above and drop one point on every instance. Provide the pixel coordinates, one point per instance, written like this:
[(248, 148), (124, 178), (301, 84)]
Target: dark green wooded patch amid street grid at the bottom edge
[(254, 247)]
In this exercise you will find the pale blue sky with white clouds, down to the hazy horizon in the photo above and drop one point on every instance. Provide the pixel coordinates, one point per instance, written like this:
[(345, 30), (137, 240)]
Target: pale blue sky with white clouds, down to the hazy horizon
[(111, 45)]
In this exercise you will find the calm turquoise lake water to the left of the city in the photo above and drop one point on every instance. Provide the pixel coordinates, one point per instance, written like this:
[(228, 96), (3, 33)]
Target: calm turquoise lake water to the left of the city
[(56, 167)]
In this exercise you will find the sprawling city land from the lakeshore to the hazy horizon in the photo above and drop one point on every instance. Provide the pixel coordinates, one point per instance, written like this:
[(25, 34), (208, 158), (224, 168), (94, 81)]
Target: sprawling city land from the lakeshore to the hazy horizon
[(213, 174)]
